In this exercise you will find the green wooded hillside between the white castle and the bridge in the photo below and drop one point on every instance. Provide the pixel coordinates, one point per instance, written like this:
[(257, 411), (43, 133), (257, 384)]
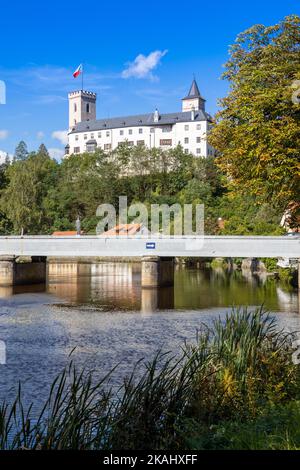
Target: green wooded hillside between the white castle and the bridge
[(40, 195)]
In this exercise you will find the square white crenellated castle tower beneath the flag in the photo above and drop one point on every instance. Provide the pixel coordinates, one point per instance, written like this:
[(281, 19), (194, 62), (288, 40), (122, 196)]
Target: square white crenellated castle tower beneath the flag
[(82, 107)]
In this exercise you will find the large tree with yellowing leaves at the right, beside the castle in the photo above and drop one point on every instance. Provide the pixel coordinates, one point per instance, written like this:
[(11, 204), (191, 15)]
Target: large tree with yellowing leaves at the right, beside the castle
[(257, 131)]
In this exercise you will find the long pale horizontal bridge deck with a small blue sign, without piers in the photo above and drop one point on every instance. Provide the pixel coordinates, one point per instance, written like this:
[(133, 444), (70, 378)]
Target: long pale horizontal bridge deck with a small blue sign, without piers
[(208, 246)]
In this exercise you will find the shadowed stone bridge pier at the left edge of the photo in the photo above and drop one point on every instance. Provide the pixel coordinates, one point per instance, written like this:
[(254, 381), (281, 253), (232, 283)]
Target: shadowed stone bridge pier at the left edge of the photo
[(16, 274)]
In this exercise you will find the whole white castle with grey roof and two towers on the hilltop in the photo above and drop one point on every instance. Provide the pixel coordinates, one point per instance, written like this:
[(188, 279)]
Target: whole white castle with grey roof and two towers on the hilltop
[(187, 128)]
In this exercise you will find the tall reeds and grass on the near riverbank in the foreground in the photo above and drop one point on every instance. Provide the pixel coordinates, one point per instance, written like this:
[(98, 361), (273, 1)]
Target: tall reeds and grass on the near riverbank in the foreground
[(235, 388)]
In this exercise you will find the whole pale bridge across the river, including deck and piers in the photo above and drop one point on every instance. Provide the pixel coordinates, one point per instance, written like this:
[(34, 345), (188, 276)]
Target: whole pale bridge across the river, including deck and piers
[(157, 253)]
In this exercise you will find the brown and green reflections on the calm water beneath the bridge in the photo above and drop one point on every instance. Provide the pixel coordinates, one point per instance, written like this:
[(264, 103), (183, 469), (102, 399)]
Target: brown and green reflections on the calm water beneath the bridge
[(116, 286)]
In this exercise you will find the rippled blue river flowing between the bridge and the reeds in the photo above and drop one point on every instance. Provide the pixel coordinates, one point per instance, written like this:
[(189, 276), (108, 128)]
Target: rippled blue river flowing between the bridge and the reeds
[(101, 311)]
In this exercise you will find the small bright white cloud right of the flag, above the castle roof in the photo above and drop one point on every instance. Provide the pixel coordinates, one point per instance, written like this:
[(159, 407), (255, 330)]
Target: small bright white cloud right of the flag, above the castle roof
[(142, 66)]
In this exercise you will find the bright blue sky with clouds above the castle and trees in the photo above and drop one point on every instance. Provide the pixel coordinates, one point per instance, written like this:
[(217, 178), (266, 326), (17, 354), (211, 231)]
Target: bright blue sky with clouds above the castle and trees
[(137, 56)]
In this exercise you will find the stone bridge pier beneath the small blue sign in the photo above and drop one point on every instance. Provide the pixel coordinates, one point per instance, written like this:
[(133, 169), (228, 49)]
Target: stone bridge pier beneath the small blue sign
[(157, 272)]
